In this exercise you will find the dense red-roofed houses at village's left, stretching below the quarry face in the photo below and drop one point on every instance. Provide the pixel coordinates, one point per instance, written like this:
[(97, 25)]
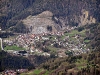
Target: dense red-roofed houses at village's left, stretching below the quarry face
[(28, 40)]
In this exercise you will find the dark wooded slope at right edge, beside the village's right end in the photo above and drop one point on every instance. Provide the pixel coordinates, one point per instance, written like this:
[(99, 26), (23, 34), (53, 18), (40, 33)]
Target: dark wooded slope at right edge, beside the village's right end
[(93, 34)]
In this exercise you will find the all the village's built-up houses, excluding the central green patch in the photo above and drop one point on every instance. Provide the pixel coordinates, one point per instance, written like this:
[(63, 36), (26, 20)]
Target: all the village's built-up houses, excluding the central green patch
[(28, 41)]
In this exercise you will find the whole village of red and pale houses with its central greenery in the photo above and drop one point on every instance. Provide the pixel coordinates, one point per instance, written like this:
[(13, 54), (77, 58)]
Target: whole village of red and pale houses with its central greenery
[(60, 44)]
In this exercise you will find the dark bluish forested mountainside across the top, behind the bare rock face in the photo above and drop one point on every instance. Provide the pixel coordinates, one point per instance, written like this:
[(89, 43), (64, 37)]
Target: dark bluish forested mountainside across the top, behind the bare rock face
[(68, 12)]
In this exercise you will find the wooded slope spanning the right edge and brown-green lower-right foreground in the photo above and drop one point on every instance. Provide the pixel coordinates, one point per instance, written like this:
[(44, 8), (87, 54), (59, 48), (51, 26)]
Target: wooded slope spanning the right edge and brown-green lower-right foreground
[(88, 64)]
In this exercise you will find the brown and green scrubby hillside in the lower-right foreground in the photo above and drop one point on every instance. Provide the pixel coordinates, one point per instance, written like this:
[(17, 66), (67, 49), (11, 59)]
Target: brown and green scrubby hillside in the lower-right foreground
[(88, 64)]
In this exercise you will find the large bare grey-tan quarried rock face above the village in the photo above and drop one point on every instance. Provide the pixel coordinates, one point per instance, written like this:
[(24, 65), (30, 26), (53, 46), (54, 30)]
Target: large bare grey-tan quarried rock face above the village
[(38, 24)]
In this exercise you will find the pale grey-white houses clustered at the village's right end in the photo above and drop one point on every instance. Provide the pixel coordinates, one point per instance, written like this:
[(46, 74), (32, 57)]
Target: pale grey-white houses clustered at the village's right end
[(77, 47)]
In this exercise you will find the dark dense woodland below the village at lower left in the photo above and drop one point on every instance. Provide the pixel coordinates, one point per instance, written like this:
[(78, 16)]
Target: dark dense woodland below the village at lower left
[(8, 61)]
